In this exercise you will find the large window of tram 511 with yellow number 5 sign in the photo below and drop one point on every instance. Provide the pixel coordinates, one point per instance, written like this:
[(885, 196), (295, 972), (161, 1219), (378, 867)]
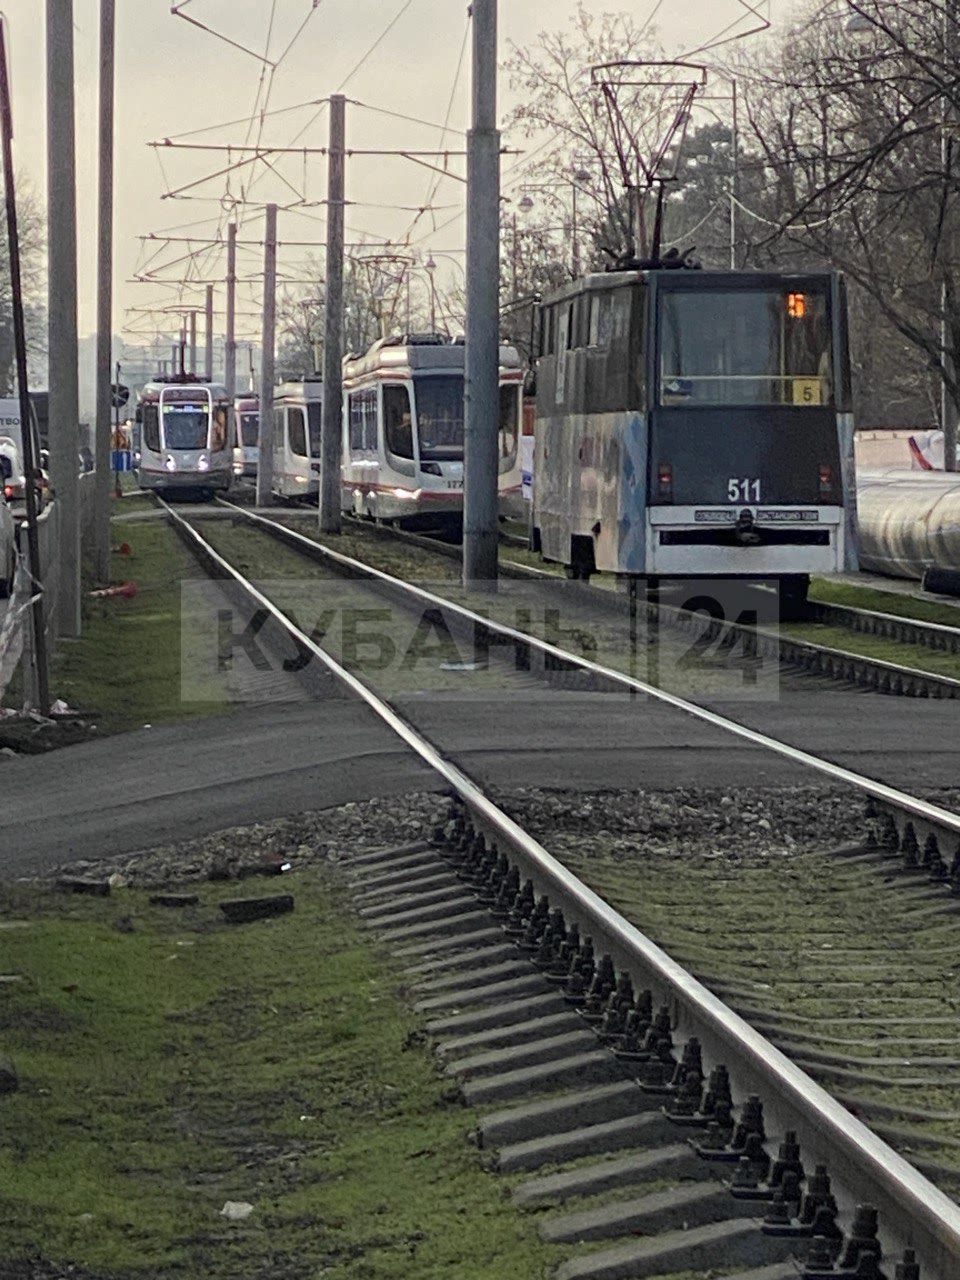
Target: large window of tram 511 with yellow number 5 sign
[(746, 348)]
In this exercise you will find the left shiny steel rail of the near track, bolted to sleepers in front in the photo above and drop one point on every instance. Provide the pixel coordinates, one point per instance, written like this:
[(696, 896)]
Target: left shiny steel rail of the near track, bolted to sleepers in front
[(915, 1213)]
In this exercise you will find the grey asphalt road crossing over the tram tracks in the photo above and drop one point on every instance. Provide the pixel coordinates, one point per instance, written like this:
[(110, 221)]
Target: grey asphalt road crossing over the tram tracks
[(159, 785)]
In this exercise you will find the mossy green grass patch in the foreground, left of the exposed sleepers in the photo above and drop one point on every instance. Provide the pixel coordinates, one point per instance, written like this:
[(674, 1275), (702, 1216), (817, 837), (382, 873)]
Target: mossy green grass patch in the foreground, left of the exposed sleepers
[(175, 1066)]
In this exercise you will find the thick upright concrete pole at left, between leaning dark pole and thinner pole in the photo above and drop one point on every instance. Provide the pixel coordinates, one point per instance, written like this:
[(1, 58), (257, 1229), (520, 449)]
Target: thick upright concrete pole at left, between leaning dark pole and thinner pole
[(62, 307)]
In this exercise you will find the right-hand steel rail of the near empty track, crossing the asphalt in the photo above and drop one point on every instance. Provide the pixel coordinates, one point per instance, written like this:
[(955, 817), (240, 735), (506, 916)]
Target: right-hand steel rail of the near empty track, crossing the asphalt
[(927, 819)]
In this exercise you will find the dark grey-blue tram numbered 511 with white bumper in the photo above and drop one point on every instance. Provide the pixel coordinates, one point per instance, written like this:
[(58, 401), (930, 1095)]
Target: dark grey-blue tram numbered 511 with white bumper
[(697, 424)]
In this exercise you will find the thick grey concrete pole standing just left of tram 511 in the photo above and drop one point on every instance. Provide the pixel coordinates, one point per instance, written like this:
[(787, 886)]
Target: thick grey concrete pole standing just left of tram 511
[(483, 327)]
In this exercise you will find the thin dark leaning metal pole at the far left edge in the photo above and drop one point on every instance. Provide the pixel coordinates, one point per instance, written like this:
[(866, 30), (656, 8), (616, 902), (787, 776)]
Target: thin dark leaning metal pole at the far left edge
[(30, 463)]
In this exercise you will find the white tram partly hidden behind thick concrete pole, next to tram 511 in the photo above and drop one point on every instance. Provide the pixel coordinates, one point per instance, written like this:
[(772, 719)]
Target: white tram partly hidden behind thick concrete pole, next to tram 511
[(404, 431)]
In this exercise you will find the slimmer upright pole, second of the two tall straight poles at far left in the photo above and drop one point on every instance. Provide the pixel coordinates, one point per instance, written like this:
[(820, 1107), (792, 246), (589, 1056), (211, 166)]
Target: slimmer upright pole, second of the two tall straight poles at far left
[(106, 281)]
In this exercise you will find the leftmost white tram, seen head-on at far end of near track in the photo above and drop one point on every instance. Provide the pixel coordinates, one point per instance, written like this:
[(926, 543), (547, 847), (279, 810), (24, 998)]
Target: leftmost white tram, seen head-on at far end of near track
[(185, 436)]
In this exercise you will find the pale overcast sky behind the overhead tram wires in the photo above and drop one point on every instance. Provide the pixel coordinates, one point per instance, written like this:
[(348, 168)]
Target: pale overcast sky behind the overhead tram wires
[(175, 79)]
